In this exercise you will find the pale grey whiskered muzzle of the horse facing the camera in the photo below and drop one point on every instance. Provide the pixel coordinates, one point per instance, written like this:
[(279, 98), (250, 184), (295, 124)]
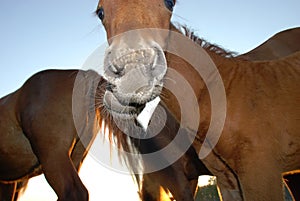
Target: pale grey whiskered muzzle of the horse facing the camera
[(135, 77)]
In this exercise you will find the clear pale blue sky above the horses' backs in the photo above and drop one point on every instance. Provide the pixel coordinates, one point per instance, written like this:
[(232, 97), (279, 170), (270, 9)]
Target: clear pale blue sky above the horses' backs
[(38, 35)]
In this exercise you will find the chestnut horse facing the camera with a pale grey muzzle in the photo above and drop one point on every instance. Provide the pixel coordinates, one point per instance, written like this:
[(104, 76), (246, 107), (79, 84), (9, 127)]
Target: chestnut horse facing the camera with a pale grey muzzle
[(249, 87)]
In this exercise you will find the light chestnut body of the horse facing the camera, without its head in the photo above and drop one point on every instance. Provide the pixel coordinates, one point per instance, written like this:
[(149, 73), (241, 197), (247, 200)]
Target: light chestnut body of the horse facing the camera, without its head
[(258, 94)]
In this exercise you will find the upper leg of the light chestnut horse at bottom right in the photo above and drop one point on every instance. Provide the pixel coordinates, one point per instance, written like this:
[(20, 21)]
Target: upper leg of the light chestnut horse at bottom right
[(261, 178)]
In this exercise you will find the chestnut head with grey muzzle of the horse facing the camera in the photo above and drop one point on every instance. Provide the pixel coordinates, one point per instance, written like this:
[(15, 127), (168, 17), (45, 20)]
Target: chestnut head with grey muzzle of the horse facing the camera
[(135, 63)]
